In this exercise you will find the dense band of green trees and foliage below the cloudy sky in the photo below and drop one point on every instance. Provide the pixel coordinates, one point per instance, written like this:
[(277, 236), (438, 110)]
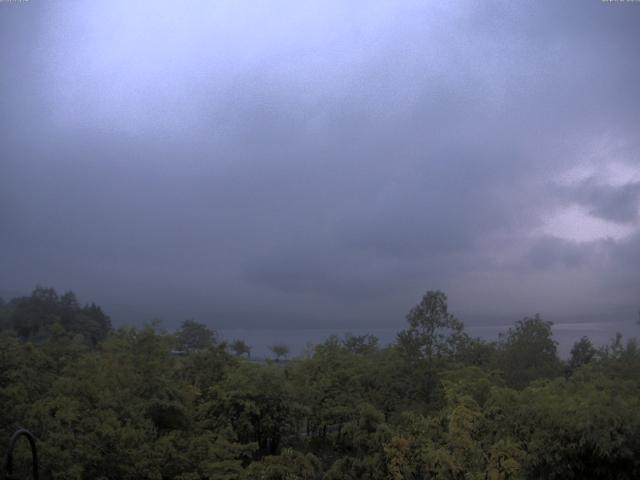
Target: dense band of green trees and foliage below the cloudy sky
[(143, 403)]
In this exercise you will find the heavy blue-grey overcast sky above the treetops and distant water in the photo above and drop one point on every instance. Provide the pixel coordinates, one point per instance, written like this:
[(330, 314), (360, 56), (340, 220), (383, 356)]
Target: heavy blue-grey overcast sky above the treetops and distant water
[(321, 164)]
